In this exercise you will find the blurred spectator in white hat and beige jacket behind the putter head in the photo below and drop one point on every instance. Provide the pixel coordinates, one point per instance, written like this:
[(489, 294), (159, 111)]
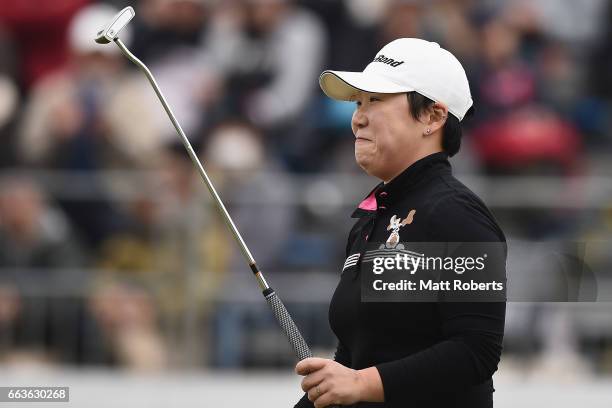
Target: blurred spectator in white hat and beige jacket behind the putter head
[(87, 118)]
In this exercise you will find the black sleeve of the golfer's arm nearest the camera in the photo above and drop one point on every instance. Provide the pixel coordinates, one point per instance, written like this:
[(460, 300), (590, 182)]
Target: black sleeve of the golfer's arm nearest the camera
[(472, 332)]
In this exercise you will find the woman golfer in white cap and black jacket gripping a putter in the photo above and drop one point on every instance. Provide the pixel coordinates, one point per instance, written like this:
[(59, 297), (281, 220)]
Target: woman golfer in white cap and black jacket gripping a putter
[(410, 101)]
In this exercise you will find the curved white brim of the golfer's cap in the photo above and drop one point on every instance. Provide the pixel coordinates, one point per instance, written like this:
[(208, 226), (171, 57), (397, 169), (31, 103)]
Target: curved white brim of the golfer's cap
[(343, 85)]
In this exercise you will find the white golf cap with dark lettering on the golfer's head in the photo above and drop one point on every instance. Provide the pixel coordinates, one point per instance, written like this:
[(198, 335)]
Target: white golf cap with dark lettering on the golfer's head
[(406, 65)]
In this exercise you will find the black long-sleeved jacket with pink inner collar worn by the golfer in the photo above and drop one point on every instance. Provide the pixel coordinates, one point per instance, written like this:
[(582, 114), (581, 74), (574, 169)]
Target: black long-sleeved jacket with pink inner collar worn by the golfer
[(434, 354)]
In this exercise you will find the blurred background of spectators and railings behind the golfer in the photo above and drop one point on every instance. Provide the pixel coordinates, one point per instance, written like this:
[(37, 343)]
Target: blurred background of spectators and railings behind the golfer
[(117, 276)]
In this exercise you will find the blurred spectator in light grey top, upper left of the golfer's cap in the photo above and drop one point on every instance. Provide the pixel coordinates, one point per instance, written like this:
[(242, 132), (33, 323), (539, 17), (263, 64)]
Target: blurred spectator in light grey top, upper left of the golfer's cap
[(270, 53)]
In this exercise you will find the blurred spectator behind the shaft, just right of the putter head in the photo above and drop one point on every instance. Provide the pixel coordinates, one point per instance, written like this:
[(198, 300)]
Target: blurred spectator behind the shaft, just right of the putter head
[(168, 38)]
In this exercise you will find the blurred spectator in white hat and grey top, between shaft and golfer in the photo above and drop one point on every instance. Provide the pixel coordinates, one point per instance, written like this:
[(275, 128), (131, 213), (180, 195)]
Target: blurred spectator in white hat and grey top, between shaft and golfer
[(258, 198)]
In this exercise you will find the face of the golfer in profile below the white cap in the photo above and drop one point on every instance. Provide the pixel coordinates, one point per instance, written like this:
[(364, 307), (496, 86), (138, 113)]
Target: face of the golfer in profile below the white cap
[(387, 138)]
